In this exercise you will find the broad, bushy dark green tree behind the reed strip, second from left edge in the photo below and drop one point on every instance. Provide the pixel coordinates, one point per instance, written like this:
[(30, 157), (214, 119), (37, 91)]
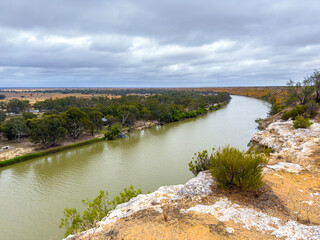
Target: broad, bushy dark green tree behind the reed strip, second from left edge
[(48, 130)]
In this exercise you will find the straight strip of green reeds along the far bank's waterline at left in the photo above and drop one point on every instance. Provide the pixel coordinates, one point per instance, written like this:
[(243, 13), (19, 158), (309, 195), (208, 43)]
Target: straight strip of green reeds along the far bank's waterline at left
[(47, 152)]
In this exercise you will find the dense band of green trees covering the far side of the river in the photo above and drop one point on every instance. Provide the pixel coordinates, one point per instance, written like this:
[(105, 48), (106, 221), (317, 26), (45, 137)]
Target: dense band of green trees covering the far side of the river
[(72, 116)]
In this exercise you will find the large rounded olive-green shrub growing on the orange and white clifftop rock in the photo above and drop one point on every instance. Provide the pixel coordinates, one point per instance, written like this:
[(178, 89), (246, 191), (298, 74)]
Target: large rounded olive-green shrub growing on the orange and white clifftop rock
[(231, 167)]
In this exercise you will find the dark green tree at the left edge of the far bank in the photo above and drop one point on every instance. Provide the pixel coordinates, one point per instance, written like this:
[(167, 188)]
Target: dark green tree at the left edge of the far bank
[(14, 128)]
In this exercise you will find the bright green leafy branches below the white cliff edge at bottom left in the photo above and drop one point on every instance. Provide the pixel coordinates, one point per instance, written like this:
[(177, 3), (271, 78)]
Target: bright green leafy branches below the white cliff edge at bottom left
[(95, 210)]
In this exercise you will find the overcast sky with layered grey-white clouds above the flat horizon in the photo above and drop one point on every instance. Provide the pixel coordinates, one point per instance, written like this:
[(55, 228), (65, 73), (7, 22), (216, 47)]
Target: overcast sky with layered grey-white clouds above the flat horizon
[(152, 43)]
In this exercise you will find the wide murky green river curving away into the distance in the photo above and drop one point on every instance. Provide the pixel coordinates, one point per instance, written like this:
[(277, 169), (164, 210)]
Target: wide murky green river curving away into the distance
[(33, 194)]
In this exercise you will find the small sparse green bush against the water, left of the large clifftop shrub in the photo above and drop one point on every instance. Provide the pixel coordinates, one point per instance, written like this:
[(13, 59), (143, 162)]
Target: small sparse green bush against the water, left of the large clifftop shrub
[(200, 162)]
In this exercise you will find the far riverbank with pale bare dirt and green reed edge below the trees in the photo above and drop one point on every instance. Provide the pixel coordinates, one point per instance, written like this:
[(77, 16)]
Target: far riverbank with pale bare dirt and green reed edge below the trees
[(25, 150)]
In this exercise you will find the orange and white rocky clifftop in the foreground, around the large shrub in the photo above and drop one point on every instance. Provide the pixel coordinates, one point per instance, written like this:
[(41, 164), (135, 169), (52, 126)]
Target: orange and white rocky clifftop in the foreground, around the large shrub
[(287, 207)]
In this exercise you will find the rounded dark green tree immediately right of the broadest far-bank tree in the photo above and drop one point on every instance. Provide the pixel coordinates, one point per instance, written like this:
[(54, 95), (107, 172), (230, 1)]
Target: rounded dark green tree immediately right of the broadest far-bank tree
[(77, 122)]
